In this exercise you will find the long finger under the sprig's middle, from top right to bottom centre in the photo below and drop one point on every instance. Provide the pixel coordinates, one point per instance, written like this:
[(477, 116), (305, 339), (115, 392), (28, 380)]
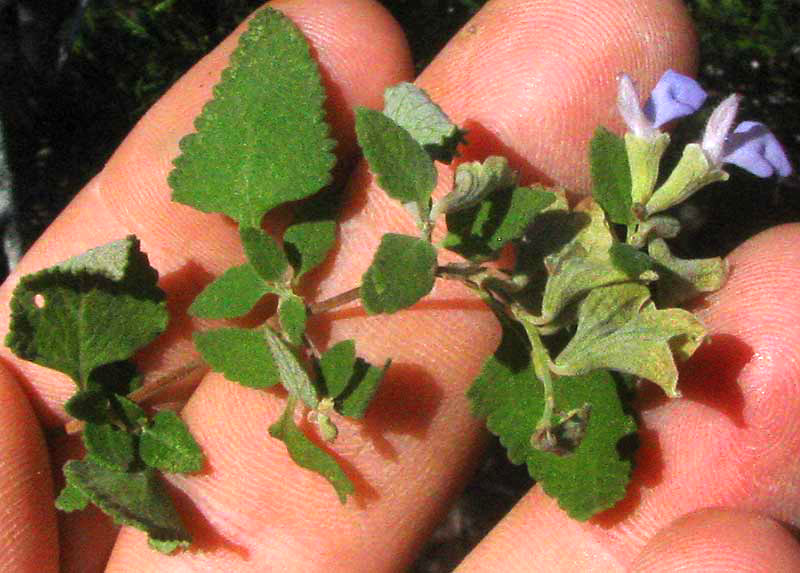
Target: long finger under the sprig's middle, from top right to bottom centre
[(254, 506)]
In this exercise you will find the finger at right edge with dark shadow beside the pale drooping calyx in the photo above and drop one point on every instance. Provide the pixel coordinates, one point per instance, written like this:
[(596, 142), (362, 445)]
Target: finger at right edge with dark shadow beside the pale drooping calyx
[(731, 441)]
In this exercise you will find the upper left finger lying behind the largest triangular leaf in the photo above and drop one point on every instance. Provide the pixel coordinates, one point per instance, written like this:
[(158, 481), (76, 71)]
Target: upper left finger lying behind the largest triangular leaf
[(131, 195)]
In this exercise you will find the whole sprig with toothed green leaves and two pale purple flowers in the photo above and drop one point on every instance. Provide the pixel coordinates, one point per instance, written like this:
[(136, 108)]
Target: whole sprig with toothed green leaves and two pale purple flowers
[(588, 307)]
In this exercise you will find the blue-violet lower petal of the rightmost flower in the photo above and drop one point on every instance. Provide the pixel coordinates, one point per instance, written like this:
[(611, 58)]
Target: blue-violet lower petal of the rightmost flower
[(753, 147)]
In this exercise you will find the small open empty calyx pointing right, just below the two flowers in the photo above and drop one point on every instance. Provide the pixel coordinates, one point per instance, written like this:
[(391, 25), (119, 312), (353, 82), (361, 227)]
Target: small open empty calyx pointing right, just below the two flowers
[(685, 279)]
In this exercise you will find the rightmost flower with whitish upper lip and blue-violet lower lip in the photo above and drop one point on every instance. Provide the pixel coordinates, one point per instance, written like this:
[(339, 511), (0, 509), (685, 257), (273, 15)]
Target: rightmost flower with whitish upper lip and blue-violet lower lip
[(750, 145)]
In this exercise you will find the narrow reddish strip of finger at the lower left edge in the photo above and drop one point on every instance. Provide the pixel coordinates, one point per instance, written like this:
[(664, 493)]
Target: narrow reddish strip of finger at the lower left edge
[(29, 536)]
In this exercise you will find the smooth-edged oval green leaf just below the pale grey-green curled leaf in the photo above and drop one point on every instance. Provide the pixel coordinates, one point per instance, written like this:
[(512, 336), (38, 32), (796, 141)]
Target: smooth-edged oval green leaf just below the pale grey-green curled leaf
[(404, 169)]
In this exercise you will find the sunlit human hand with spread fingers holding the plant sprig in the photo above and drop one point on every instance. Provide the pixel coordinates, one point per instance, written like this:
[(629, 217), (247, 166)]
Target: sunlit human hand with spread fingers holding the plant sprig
[(530, 80)]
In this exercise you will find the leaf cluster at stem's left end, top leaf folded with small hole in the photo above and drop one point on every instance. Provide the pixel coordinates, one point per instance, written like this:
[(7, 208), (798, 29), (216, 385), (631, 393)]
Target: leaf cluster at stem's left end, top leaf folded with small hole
[(86, 317)]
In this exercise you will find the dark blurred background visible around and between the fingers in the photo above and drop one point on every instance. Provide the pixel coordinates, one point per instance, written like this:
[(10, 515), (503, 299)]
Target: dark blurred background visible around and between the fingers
[(76, 75)]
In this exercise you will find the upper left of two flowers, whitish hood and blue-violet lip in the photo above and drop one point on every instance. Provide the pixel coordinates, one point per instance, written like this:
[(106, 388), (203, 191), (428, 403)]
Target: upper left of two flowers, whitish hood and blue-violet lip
[(674, 96)]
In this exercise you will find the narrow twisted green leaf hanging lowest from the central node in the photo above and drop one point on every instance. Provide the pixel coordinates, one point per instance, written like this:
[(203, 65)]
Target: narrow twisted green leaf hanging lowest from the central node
[(307, 454)]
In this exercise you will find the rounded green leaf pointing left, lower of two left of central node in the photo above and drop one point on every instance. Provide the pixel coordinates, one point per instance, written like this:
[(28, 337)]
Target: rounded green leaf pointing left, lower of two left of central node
[(242, 355)]
